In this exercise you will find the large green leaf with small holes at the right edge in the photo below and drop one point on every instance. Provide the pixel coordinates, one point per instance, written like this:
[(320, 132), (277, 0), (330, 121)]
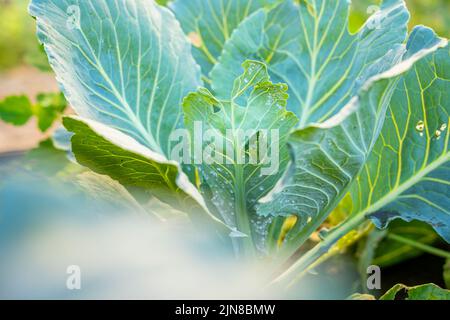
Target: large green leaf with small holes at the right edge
[(407, 175)]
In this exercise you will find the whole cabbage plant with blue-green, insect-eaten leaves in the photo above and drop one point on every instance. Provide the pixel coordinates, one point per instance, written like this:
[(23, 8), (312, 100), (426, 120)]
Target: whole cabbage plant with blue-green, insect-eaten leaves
[(361, 117)]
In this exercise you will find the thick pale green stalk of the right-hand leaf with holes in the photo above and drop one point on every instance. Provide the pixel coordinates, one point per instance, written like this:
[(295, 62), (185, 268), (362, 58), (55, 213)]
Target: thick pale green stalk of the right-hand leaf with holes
[(291, 275)]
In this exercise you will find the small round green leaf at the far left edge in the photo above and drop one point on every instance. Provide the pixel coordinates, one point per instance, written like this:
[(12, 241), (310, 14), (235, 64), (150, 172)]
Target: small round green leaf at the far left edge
[(16, 110)]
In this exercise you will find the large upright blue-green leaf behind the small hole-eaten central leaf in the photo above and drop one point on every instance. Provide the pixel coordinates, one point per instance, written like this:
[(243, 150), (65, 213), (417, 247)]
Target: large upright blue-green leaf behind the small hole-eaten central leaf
[(308, 47)]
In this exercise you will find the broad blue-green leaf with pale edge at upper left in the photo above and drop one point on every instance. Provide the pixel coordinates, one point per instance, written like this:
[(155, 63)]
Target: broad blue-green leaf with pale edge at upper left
[(124, 63)]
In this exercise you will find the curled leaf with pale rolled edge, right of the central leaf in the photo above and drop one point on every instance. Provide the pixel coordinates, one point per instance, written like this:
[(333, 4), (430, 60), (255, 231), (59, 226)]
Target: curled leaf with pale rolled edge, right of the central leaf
[(328, 157)]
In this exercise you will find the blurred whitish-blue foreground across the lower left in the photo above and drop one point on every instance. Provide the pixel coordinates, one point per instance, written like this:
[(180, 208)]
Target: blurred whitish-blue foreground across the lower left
[(49, 228)]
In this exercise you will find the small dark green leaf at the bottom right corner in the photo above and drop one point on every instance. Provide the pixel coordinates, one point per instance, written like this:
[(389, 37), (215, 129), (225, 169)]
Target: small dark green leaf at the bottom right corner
[(423, 292)]
